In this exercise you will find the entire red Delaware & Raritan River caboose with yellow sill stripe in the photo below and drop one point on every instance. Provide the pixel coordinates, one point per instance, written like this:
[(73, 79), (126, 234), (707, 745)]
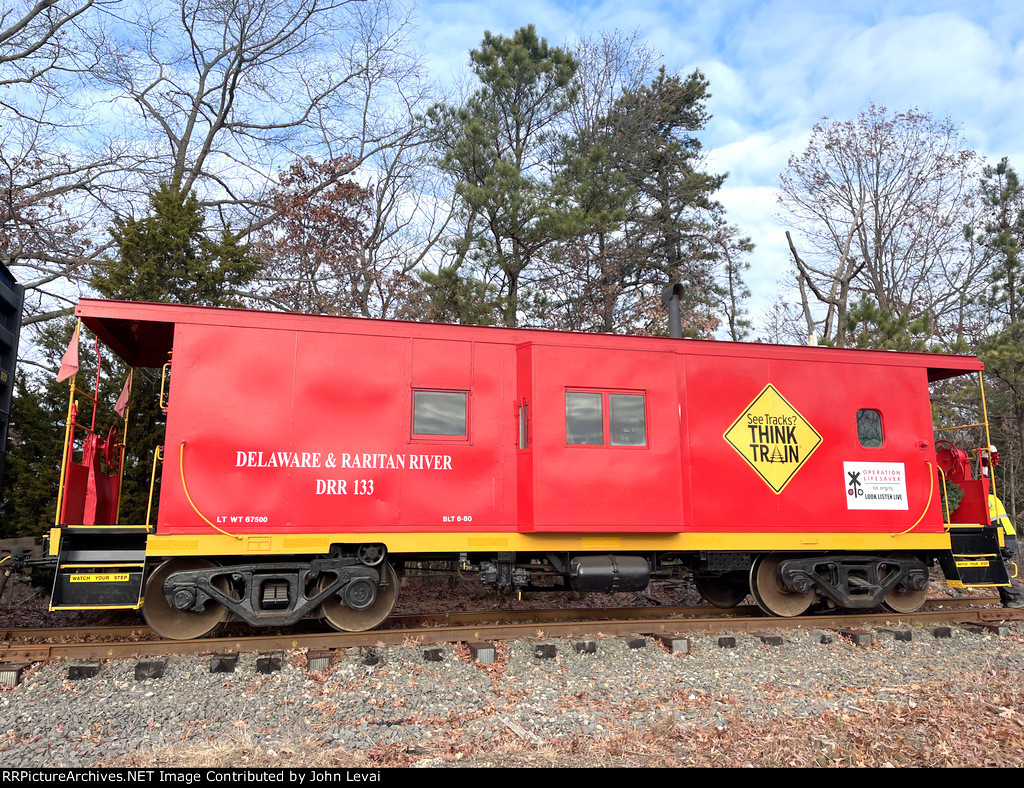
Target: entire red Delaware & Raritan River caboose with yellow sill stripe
[(307, 458)]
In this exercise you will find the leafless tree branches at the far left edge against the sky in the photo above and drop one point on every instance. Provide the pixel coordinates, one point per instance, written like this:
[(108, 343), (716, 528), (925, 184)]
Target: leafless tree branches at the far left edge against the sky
[(58, 167)]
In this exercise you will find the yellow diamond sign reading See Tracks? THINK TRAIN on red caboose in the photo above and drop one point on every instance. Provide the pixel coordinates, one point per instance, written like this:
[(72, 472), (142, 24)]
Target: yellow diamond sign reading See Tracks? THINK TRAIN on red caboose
[(774, 439)]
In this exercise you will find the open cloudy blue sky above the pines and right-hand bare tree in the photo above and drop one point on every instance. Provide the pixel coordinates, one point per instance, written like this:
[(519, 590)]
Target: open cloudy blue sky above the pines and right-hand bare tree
[(780, 66)]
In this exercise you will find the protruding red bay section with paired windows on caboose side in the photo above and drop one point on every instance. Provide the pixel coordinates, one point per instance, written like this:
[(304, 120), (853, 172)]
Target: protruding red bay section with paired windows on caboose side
[(605, 432)]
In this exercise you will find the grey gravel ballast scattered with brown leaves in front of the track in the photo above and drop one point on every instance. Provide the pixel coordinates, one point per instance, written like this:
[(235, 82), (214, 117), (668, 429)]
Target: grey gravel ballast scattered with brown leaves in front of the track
[(395, 697)]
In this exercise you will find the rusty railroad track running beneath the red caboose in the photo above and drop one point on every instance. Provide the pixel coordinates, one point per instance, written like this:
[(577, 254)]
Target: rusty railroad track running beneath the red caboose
[(24, 645)]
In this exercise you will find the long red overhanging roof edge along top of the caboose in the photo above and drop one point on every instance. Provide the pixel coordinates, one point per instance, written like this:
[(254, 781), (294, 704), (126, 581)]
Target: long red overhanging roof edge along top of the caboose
[(143, 335)]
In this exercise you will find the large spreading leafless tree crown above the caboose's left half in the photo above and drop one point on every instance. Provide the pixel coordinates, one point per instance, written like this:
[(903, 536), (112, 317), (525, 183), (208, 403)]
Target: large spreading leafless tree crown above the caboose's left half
[(227, 93)]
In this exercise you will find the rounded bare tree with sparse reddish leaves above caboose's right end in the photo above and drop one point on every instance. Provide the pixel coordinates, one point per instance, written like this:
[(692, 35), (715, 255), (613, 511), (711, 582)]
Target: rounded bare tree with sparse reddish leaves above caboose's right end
[(880, 205)]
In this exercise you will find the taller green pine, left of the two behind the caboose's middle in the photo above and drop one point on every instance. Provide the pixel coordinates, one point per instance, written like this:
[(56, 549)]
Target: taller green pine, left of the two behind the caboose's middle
[(498, 147)]
